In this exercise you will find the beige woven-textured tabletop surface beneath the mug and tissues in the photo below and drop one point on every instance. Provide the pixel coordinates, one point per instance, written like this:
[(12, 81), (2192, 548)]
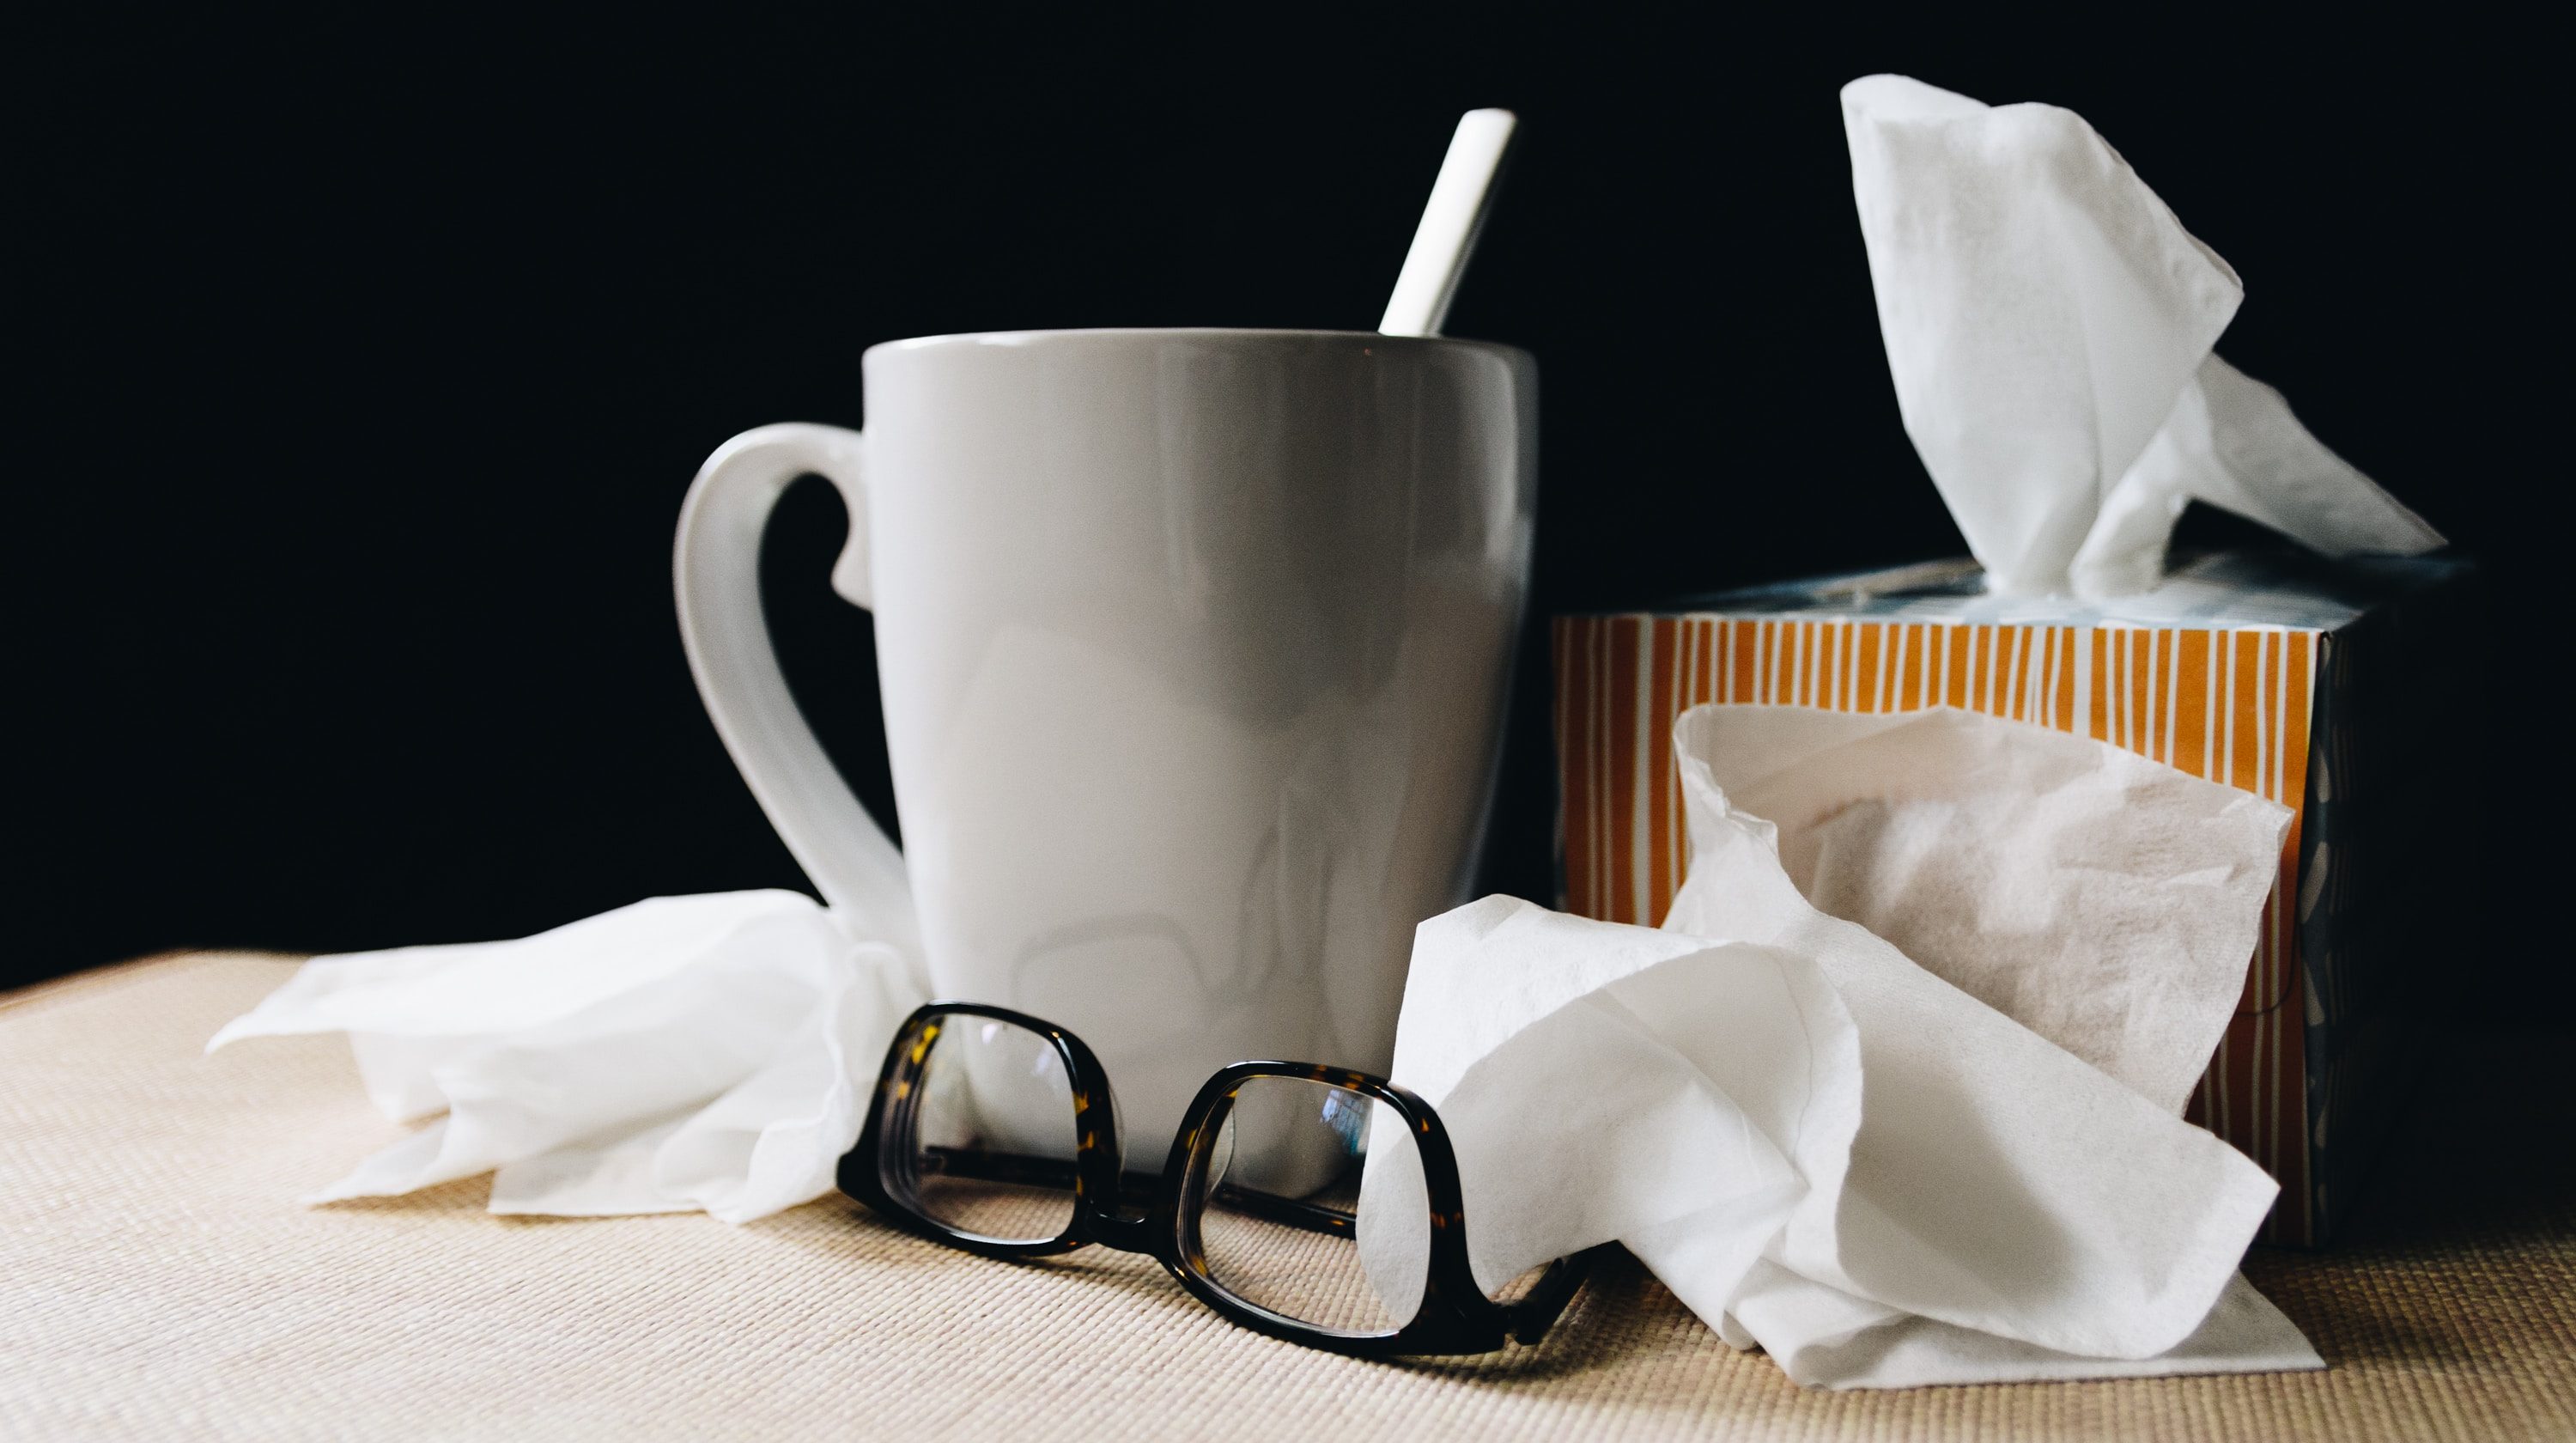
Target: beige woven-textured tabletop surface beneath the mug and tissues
[(161, 1282)]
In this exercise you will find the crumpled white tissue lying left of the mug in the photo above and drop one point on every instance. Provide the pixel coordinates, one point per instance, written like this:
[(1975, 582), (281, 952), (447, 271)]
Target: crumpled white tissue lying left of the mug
[(676, 1055)]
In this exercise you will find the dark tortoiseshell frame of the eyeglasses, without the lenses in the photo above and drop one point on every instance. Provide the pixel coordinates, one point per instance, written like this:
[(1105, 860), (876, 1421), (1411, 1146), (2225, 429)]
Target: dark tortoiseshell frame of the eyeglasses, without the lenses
[(1454, 1313)]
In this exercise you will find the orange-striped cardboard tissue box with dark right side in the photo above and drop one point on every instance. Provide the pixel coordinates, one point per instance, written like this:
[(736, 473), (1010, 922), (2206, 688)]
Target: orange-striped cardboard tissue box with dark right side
[(2330, 687)]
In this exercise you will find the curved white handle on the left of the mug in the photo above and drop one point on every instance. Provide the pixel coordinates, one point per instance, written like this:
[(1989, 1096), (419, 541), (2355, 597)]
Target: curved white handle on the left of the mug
[(728, 638)]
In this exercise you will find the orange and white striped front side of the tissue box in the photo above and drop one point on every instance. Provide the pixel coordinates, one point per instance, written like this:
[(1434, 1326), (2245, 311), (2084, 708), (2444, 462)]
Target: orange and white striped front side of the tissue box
[(2230, 705)]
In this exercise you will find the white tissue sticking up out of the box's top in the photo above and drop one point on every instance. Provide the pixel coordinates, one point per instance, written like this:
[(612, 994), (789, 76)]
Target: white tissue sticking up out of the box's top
[(2049, 329)]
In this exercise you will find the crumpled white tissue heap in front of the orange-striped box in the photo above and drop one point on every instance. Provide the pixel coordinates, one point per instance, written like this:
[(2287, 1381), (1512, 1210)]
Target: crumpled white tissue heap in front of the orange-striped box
[(1825, 1148)]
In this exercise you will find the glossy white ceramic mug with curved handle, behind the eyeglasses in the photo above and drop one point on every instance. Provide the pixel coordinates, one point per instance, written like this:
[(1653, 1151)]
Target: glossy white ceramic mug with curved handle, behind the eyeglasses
[(1194, 653)]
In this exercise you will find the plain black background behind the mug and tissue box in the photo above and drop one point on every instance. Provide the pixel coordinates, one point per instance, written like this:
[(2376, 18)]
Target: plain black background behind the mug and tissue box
[(362, 367)]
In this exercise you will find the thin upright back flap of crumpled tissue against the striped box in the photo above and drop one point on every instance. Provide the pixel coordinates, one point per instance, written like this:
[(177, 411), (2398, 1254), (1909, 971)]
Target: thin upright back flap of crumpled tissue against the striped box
[(2101, 901)]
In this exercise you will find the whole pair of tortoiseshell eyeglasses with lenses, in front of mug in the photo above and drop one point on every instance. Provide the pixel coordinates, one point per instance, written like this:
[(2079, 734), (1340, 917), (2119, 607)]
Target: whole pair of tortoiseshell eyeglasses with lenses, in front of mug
[(998, 1132)]
